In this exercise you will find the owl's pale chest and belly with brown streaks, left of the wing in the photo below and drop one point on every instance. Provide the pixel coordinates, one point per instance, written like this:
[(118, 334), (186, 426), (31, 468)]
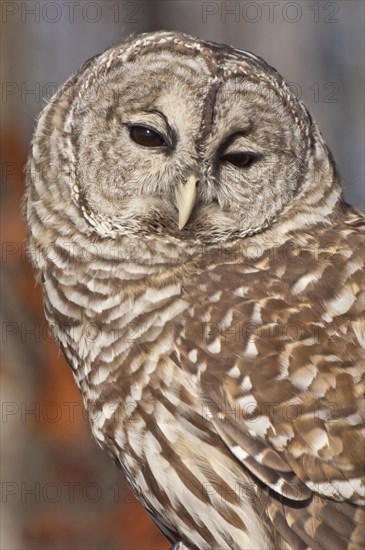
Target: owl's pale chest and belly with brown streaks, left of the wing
[(121, 346)]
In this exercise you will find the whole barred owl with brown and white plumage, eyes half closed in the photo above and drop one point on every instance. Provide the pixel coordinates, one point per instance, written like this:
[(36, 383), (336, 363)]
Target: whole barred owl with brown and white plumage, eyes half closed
[(203, 276)]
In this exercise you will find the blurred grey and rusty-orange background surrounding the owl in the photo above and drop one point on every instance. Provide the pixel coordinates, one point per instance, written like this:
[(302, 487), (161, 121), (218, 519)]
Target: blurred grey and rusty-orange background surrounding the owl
[(58, 490)]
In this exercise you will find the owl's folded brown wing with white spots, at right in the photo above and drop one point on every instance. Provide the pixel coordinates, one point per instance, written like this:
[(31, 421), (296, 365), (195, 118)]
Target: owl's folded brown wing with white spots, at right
[(281, 371)]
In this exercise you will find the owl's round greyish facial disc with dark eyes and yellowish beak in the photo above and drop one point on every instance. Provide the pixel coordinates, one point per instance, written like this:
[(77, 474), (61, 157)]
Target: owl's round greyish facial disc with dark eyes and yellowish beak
[(187, 141)]
